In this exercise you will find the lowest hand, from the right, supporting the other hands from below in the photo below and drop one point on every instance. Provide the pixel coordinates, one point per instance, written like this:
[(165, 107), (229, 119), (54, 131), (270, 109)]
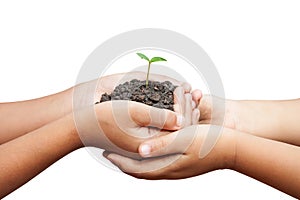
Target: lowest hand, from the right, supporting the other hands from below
[(177, 155)]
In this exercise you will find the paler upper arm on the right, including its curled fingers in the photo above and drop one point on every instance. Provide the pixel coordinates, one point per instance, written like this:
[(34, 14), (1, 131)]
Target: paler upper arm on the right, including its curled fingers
[(276, 120)]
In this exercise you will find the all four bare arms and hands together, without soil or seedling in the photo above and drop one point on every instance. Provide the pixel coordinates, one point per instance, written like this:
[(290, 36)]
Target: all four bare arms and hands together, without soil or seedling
[(46, 130)]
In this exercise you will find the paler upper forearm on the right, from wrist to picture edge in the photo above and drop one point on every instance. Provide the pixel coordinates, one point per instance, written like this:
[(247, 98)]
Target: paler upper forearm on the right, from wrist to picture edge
[(276, 120)]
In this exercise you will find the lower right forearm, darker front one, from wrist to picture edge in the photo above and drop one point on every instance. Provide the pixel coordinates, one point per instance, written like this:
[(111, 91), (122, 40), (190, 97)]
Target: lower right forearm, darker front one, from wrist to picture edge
[(274, 163)]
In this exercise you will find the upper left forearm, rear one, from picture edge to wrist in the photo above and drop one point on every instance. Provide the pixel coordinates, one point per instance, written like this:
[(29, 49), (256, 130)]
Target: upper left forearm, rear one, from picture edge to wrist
[(18, 118)]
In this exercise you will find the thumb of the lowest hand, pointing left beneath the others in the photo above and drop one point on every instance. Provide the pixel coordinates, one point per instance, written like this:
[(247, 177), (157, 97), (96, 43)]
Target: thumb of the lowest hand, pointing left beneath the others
[(173, 143)]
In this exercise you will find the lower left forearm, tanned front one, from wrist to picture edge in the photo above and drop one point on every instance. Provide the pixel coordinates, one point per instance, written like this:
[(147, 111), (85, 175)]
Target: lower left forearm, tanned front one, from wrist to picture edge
[(28, 155)]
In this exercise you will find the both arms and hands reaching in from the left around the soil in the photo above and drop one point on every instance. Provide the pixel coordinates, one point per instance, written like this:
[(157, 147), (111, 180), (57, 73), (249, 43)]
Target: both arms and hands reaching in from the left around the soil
[(46, 137)]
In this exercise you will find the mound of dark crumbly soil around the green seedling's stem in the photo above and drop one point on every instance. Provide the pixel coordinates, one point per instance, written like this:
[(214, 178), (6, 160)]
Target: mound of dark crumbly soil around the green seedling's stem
[(157, 94)]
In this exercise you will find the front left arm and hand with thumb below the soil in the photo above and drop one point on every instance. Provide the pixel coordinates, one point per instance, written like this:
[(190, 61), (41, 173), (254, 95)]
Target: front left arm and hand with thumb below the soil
[(28, 155)]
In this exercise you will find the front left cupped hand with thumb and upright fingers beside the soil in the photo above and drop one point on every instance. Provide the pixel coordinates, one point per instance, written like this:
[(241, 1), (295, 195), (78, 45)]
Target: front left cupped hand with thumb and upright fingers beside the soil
[(123, 125)]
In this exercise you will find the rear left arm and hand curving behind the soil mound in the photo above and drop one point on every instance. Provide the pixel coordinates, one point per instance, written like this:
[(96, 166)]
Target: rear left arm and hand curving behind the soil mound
[(14, 116)]
